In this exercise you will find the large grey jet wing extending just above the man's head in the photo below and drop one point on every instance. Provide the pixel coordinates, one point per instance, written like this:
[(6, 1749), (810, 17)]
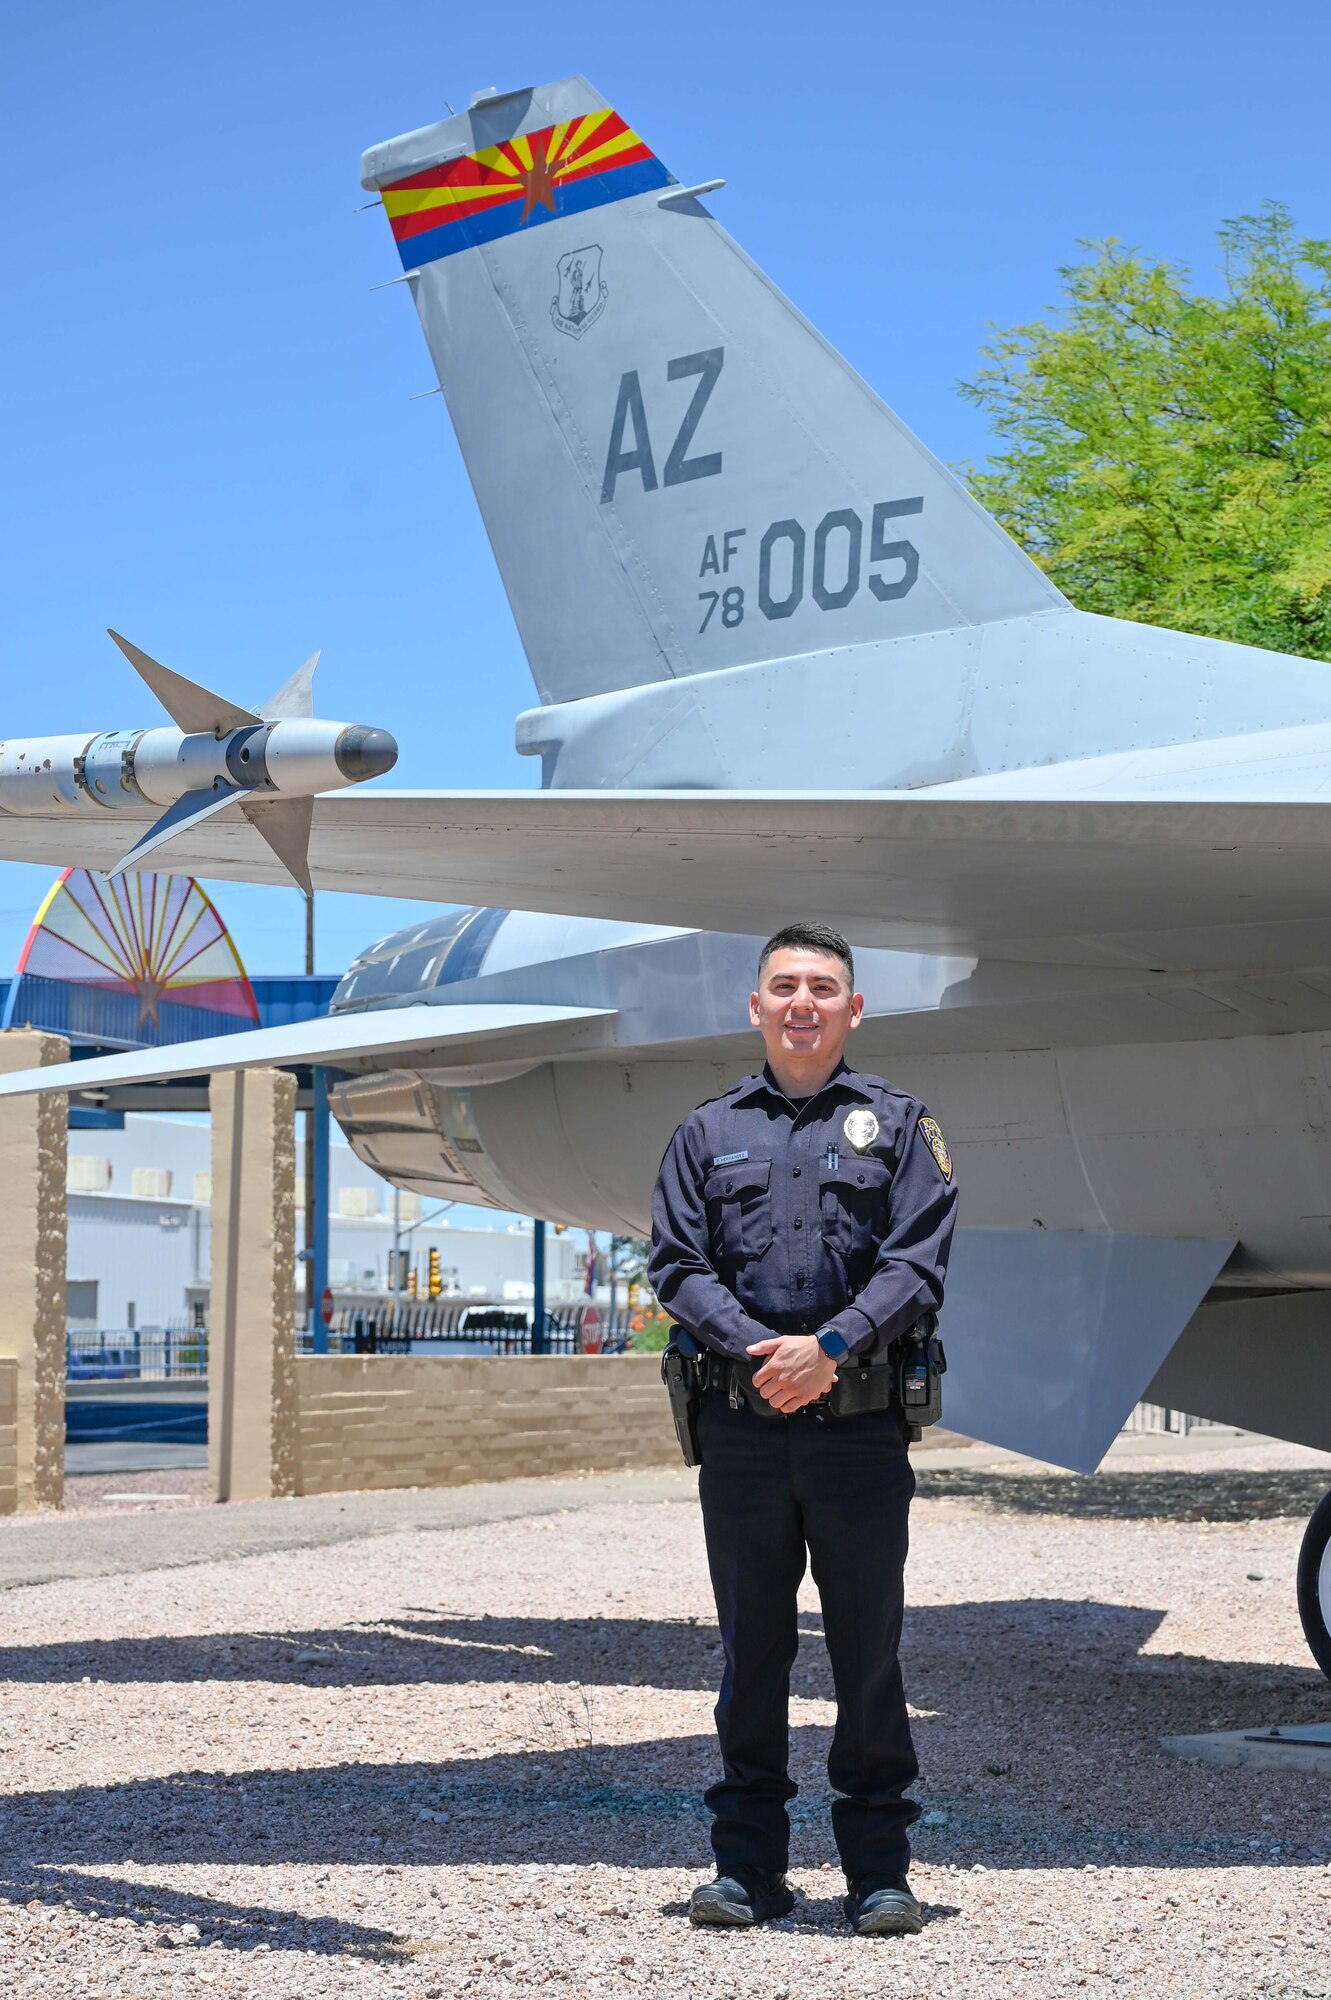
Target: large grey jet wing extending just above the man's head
[(1168, 859)]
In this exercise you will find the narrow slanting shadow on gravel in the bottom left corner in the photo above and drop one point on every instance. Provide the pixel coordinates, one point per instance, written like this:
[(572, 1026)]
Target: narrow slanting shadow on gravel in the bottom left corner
[(239, 1927)]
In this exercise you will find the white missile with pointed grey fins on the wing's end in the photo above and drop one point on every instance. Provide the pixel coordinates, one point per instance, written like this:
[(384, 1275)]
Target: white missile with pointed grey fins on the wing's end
[(269, 761)]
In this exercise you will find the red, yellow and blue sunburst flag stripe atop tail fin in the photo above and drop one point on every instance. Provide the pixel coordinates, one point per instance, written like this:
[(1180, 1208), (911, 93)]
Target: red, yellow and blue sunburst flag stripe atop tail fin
[(533, 173)]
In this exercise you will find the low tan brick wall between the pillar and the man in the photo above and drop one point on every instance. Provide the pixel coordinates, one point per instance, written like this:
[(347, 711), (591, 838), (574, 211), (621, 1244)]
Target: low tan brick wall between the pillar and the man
[(373, 1421)]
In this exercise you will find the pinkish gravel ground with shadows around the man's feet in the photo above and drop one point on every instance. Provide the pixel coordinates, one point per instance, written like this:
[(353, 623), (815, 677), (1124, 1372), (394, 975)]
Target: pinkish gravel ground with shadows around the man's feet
[(469, 1763)]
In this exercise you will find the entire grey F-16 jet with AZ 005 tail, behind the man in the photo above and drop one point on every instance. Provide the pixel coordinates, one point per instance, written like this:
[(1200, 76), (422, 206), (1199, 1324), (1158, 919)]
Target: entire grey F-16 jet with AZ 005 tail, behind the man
[(788, 667)]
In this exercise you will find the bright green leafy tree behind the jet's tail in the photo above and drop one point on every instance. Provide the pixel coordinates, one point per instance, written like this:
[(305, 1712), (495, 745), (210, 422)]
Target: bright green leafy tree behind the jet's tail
[(1166, 455)]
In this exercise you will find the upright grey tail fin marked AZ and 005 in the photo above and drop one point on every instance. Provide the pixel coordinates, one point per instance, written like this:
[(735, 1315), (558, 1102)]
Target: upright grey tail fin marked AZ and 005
[(676, 471)]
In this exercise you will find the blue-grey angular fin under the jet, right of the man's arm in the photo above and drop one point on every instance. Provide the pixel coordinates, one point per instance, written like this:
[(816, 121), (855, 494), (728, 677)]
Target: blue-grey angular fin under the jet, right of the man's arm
[(1052, 1337)]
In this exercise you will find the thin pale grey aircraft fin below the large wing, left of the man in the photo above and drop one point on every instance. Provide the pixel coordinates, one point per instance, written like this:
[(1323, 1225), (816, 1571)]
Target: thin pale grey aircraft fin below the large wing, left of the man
[(419, 1033)]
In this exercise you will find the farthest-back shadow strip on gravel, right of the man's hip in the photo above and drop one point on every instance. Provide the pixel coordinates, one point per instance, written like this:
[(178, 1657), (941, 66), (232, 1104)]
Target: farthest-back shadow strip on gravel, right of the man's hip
[(1186, 1495)]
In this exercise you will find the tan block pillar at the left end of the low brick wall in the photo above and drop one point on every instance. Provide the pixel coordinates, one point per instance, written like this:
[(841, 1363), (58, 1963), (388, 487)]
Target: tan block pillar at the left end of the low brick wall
[(253, 1309)]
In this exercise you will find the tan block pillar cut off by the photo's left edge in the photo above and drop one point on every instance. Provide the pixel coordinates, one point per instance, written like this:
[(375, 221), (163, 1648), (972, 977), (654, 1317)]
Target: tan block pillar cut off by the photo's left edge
[(33, 1237)]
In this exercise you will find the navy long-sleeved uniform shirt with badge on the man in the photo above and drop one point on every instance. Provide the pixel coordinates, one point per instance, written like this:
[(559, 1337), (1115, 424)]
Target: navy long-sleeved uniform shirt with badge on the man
[(782, 1219)]
